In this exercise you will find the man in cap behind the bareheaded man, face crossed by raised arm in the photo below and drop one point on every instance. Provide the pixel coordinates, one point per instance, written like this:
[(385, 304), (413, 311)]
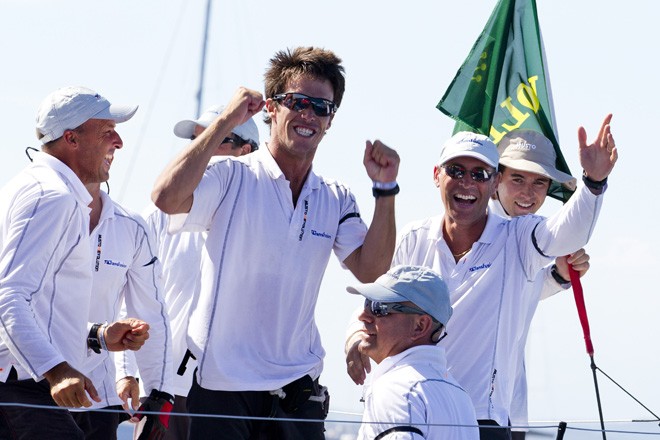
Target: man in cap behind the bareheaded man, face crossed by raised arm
[(183, 251)]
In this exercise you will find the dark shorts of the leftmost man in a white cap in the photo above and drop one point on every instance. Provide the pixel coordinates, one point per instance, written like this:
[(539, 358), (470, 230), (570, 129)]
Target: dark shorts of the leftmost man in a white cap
[(23, 423)]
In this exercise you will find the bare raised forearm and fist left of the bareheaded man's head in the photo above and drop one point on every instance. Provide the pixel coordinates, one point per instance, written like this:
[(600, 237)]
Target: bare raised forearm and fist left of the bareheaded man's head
[(173, 191)]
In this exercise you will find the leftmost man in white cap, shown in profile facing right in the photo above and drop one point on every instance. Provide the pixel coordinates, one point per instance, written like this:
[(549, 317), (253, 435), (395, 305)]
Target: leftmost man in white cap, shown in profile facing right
[(46, 268)]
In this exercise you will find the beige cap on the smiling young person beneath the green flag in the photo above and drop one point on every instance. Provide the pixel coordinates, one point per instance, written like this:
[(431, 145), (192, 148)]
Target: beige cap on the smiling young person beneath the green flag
[(529, 150)]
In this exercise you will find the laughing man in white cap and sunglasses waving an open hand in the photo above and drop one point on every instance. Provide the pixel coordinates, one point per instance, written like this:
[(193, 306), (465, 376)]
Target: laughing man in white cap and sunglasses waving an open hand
[(487, 262)]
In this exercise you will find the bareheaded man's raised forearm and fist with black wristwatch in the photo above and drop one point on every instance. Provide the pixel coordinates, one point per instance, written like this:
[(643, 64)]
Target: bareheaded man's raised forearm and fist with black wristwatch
[(373, 258)]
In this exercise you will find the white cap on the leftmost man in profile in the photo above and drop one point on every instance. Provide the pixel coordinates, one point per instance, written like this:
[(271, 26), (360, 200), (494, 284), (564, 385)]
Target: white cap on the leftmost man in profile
[(70, 107)]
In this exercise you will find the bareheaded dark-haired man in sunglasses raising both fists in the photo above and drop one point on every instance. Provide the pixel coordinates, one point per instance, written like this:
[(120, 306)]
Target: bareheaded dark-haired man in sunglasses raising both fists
[(272, 224)]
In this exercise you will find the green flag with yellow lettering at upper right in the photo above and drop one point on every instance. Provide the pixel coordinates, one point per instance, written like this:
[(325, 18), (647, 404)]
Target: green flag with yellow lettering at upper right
[(502, 85)]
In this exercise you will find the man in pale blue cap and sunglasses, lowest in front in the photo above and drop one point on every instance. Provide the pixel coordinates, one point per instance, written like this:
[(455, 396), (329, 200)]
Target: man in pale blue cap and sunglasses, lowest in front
[(405, 314)]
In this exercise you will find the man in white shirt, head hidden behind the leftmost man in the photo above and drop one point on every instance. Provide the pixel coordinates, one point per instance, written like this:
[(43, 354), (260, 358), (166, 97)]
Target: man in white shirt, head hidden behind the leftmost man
[(126, 271)]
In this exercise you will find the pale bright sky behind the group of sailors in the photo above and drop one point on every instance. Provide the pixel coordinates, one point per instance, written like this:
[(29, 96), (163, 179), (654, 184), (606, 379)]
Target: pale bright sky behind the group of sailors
[(399, 58)]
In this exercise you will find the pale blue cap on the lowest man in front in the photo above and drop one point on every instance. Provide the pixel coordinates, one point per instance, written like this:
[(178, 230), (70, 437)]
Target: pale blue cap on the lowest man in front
[(419, 285)]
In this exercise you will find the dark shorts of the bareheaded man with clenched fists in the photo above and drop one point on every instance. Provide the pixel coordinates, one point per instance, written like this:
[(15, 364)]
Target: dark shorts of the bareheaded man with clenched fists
[(238, 404)]
